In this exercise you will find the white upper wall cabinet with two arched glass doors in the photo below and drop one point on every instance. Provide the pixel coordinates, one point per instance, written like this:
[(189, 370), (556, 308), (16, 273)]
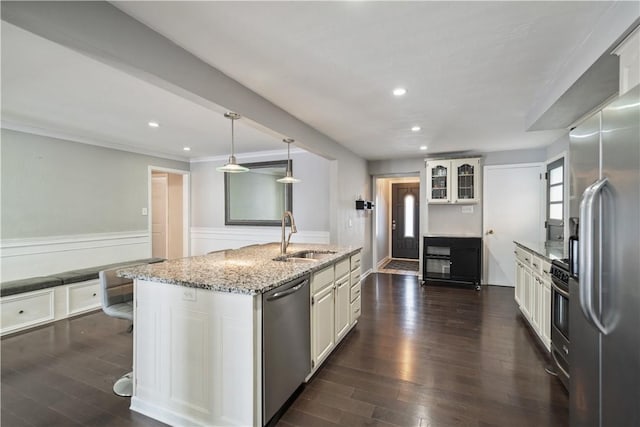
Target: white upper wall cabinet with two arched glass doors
[(453, 180)]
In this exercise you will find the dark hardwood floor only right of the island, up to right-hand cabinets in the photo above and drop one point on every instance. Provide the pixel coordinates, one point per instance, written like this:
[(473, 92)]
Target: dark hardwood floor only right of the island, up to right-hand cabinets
[(433, 356)]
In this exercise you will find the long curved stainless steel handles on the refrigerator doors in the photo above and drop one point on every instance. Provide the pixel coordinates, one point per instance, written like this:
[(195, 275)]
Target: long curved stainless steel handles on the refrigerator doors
[(585, 242)]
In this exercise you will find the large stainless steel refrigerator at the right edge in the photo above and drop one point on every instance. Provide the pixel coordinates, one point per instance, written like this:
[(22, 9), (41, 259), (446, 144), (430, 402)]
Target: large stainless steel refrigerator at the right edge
[(604, 305)]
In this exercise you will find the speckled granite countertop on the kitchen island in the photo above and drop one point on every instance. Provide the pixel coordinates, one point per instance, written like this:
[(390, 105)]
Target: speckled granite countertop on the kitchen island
[(250, 270)]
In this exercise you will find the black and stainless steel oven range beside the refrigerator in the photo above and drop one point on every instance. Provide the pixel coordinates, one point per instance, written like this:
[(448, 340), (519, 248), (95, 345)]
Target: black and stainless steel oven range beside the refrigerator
[(560, 319)]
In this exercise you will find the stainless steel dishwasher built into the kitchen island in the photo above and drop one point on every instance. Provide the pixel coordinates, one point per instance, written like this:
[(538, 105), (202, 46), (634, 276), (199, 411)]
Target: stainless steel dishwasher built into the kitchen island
[(286, 344)]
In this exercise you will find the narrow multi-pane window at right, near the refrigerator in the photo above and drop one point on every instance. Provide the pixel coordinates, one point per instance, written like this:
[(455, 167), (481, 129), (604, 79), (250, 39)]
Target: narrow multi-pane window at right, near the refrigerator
[(555, 201)]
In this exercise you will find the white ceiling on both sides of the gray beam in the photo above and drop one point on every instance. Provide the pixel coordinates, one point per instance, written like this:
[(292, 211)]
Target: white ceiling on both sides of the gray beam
[(472, 70)]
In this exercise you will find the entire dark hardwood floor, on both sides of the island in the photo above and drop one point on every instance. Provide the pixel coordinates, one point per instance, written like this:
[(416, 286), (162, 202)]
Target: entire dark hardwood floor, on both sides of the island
[(420, 356)]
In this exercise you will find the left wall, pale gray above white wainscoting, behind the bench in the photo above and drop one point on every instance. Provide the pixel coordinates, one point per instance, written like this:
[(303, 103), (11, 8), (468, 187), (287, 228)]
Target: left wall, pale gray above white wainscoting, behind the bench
[(67, 205)]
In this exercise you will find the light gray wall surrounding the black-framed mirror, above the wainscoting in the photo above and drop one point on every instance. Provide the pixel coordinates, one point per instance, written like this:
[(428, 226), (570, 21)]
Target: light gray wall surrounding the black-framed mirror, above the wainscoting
[(310, 197)]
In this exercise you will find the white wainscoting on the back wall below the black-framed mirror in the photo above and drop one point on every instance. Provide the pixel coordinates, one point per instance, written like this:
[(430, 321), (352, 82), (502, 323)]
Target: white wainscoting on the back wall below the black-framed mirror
[(207, 239)]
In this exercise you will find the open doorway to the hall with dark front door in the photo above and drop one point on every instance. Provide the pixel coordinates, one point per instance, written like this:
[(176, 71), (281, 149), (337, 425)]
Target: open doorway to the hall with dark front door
[(404, 259)]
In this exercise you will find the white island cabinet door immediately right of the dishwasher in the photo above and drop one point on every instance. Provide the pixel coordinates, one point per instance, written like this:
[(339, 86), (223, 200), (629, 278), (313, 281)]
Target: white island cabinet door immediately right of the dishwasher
[(322, 317)]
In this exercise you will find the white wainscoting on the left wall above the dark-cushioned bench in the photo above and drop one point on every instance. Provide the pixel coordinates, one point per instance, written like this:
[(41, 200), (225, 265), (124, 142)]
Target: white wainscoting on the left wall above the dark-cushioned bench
[(31, 257)]
